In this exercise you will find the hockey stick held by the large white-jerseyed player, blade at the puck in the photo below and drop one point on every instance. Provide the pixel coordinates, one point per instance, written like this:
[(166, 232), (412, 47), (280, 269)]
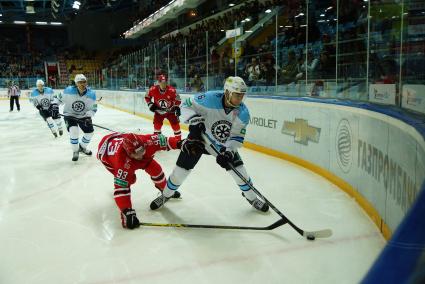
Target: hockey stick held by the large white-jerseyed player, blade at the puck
[(309, 235)]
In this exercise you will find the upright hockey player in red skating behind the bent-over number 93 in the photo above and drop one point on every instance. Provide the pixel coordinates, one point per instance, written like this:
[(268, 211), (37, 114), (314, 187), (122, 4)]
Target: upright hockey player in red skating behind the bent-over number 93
[(164, 102)]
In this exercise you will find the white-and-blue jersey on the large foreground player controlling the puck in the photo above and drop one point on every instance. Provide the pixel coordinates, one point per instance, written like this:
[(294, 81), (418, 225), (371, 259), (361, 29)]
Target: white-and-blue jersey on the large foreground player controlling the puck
[(224, 129)]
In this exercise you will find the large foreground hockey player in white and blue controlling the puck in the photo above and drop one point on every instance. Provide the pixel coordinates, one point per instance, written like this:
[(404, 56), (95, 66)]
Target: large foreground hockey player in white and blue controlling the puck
[(223, 117)]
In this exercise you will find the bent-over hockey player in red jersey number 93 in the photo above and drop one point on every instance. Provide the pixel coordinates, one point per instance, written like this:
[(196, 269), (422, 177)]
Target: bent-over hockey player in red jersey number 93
[(124, 153)]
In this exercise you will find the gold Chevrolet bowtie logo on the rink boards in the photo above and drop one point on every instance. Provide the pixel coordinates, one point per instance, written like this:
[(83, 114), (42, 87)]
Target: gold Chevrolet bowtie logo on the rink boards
[(301, 131)]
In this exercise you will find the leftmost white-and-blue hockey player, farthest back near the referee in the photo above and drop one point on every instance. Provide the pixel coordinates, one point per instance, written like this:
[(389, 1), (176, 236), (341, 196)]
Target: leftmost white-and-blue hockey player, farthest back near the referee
[(46, 102)]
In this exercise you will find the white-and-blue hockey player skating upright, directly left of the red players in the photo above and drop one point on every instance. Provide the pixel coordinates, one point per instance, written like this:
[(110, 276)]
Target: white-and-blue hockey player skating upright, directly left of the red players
[(79, 108)]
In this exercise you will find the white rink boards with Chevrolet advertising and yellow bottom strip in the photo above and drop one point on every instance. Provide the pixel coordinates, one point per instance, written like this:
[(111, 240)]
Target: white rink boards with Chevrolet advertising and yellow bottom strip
[(377, 159)]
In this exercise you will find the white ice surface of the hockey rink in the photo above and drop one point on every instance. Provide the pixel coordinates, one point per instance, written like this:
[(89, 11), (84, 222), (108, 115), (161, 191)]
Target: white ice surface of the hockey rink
[(59, 222)]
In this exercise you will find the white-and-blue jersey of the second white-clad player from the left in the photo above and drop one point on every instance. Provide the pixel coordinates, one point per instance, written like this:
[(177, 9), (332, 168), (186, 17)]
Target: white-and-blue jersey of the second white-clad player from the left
[(78, 105)]
